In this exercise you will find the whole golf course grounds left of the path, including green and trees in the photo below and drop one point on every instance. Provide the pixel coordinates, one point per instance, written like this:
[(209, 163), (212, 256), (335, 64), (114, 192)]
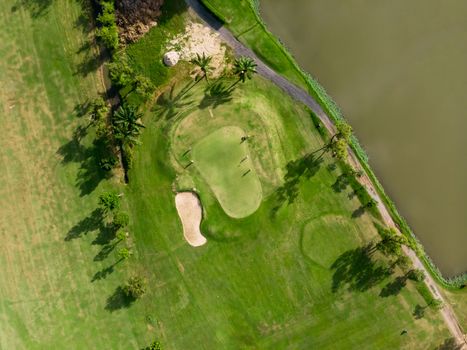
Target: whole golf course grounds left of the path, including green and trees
[(291, 255)]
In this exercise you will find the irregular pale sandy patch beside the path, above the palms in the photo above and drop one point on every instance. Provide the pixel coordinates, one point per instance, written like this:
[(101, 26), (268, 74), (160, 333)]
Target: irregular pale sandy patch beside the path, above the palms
[(199, 39)]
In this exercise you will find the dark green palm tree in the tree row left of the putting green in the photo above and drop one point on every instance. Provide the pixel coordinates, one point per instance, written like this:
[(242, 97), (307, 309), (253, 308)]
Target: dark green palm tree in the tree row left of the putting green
[(126, 125)]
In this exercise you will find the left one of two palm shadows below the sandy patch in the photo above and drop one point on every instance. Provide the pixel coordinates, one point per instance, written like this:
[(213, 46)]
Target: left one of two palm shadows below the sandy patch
[(170, 105)]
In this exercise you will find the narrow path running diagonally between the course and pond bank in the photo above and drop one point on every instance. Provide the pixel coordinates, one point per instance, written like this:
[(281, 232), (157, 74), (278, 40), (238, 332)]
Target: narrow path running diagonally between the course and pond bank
[(302, 96)]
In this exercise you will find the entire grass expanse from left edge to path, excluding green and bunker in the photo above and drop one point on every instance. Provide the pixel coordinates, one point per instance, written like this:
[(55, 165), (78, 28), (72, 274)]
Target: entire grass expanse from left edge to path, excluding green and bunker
[(257, 283)]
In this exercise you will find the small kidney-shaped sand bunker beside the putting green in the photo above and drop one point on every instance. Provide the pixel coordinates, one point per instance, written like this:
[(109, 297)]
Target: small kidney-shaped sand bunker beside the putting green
[(190, 212)]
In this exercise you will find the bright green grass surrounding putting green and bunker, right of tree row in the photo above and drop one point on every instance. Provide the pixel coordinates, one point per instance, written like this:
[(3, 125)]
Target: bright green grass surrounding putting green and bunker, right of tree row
[(273, 279)]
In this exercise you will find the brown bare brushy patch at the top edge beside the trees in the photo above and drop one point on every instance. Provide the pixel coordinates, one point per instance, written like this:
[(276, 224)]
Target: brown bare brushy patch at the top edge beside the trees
[(136, 17)]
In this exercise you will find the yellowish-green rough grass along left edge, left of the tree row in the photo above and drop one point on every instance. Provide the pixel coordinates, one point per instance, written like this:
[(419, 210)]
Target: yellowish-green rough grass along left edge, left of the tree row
[(58, 268)]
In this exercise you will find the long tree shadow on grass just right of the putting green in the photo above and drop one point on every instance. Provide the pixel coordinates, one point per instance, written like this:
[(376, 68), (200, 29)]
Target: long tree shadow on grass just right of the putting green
[(297, 170)]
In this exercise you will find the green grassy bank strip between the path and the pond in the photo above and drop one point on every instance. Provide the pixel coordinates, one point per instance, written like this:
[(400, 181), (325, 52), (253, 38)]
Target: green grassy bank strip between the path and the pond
[(275, 54)]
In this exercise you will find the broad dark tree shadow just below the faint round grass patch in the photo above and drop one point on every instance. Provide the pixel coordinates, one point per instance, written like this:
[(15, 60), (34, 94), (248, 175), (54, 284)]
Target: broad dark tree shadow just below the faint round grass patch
[(357, 270)]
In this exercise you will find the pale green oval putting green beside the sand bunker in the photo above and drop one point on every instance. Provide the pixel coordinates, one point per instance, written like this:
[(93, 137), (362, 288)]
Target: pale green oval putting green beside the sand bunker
[(225, 164)]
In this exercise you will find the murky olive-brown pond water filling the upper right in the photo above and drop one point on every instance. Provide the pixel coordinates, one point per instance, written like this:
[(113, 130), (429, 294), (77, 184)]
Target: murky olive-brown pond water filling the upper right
[(397, 69)]
